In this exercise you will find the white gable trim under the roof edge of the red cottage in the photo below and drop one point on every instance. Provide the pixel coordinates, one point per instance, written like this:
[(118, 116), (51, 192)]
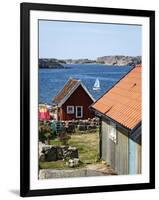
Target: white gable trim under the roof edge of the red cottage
[(72, 91)]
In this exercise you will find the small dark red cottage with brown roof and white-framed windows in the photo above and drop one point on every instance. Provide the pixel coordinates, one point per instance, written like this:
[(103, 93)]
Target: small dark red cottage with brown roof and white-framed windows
[(73, 101)]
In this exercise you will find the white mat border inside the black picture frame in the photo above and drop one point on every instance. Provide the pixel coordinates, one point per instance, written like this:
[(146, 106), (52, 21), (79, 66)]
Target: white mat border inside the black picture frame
[(36, 183)]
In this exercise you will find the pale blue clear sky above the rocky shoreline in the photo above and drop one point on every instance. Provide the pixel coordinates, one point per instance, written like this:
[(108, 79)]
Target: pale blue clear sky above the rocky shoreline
[(74, 40)]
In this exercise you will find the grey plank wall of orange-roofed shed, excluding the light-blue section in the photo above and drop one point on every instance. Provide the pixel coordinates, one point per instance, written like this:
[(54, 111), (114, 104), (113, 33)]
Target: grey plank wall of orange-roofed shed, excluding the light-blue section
[(115, 154)]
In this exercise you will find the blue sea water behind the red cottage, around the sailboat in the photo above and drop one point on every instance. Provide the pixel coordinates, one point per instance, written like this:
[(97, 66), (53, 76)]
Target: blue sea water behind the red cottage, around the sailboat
[(52, 80)]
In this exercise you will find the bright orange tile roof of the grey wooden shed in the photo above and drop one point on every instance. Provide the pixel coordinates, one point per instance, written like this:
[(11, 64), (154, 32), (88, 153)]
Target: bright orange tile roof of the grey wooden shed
[(122, 102)]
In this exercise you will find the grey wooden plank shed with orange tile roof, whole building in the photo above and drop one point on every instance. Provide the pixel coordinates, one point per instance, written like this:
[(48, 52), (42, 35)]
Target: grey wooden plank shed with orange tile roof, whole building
[(119, 110)]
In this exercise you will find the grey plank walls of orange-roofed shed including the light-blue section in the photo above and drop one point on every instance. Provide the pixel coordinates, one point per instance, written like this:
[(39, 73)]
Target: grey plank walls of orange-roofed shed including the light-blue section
[(124, 156)]
